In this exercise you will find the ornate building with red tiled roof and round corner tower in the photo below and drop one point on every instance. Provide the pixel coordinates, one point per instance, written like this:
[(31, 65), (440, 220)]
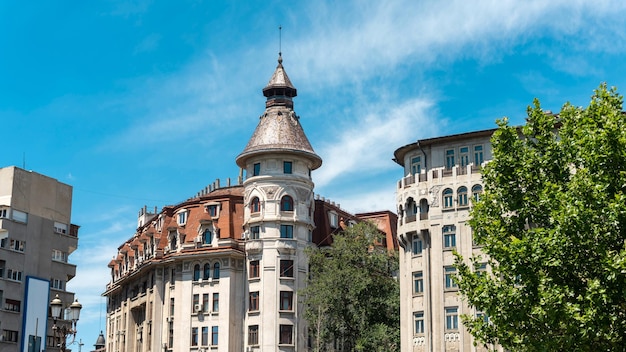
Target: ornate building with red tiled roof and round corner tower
[(222, 270)]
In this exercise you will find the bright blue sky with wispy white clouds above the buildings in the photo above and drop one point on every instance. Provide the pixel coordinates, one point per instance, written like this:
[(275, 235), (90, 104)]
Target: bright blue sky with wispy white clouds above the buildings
[(139, 103)]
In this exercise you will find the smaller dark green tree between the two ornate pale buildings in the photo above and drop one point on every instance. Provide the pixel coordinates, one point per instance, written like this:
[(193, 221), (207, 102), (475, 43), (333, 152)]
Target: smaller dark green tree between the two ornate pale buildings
[(352, 298)]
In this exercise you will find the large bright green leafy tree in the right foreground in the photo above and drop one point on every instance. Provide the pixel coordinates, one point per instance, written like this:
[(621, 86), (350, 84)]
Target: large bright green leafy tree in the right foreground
[(552, 222)]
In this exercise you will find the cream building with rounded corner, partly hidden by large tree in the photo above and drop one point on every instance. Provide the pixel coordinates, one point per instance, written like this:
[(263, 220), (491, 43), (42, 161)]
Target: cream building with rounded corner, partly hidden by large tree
[(441, 177)]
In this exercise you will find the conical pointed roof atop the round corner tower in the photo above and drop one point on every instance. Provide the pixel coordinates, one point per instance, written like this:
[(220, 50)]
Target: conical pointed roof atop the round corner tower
[(279, 128)]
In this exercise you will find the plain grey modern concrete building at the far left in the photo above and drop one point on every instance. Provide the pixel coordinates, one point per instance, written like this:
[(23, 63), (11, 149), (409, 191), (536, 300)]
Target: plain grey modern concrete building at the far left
[(36, 240)]
